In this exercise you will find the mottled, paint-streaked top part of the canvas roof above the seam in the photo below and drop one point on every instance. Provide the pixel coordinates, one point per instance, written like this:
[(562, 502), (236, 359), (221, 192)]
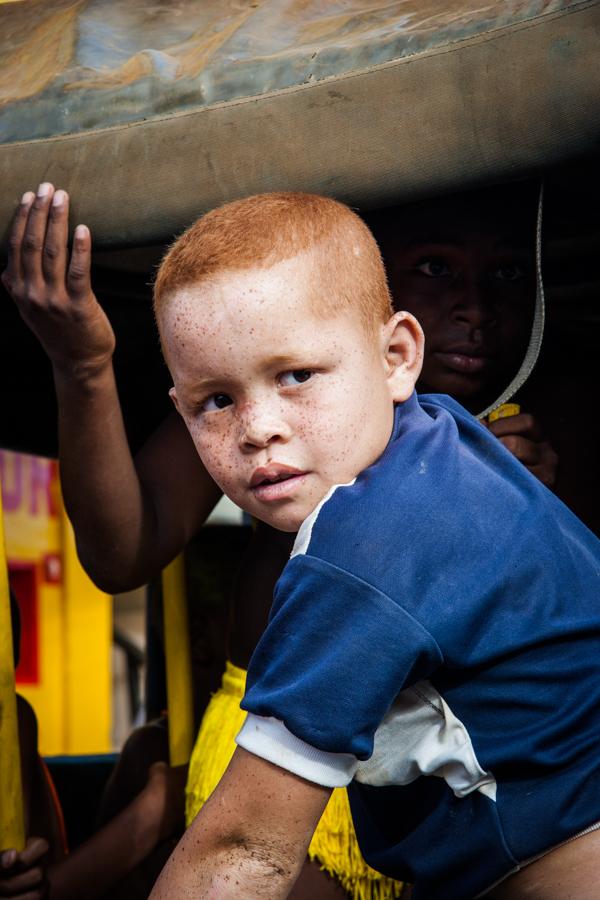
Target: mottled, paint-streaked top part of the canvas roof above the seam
[(84, 65)]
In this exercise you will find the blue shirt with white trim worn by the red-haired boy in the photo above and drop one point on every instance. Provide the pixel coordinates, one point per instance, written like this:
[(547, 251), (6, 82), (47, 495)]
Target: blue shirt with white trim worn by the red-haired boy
[(434, 642)]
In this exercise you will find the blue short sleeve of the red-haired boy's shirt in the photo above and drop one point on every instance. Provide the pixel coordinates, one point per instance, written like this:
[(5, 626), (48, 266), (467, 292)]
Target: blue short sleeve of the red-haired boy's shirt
[(333, 658)]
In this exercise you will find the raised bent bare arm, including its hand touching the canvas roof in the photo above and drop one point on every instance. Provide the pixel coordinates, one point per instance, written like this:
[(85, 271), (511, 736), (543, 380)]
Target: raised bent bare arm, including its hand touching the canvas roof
[(130, 517)]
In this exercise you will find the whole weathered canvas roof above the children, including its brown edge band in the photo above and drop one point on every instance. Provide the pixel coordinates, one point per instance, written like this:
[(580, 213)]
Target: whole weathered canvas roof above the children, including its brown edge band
[(150, 113)]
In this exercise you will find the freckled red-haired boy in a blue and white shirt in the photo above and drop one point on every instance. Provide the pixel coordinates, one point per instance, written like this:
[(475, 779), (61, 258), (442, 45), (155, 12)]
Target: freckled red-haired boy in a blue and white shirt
[(437, 615)]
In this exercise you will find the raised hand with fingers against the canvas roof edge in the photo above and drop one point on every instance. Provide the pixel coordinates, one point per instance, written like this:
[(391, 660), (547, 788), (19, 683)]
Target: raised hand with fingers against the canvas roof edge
[(53, 295)]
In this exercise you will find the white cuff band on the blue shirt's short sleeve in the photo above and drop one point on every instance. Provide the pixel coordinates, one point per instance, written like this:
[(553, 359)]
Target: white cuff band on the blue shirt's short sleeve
[(271, 740)]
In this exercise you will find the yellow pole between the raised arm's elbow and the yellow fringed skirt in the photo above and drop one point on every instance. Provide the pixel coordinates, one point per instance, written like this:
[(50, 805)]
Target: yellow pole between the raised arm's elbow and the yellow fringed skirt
[(179, 663)]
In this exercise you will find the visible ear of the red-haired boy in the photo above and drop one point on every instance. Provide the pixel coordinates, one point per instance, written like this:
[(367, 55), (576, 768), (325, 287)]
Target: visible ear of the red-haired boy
[(403, 345)]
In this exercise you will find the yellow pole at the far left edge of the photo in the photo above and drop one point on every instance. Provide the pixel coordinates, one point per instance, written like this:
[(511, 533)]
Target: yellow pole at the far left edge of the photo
[(12, 829)]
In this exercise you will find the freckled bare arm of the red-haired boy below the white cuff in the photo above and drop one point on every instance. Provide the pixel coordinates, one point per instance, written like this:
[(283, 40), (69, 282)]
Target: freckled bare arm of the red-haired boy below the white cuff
[(251, 837)]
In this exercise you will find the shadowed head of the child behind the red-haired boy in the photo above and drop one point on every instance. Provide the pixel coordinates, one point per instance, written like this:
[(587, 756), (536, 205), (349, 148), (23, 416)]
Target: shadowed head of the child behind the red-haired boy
[(470, 281)]
